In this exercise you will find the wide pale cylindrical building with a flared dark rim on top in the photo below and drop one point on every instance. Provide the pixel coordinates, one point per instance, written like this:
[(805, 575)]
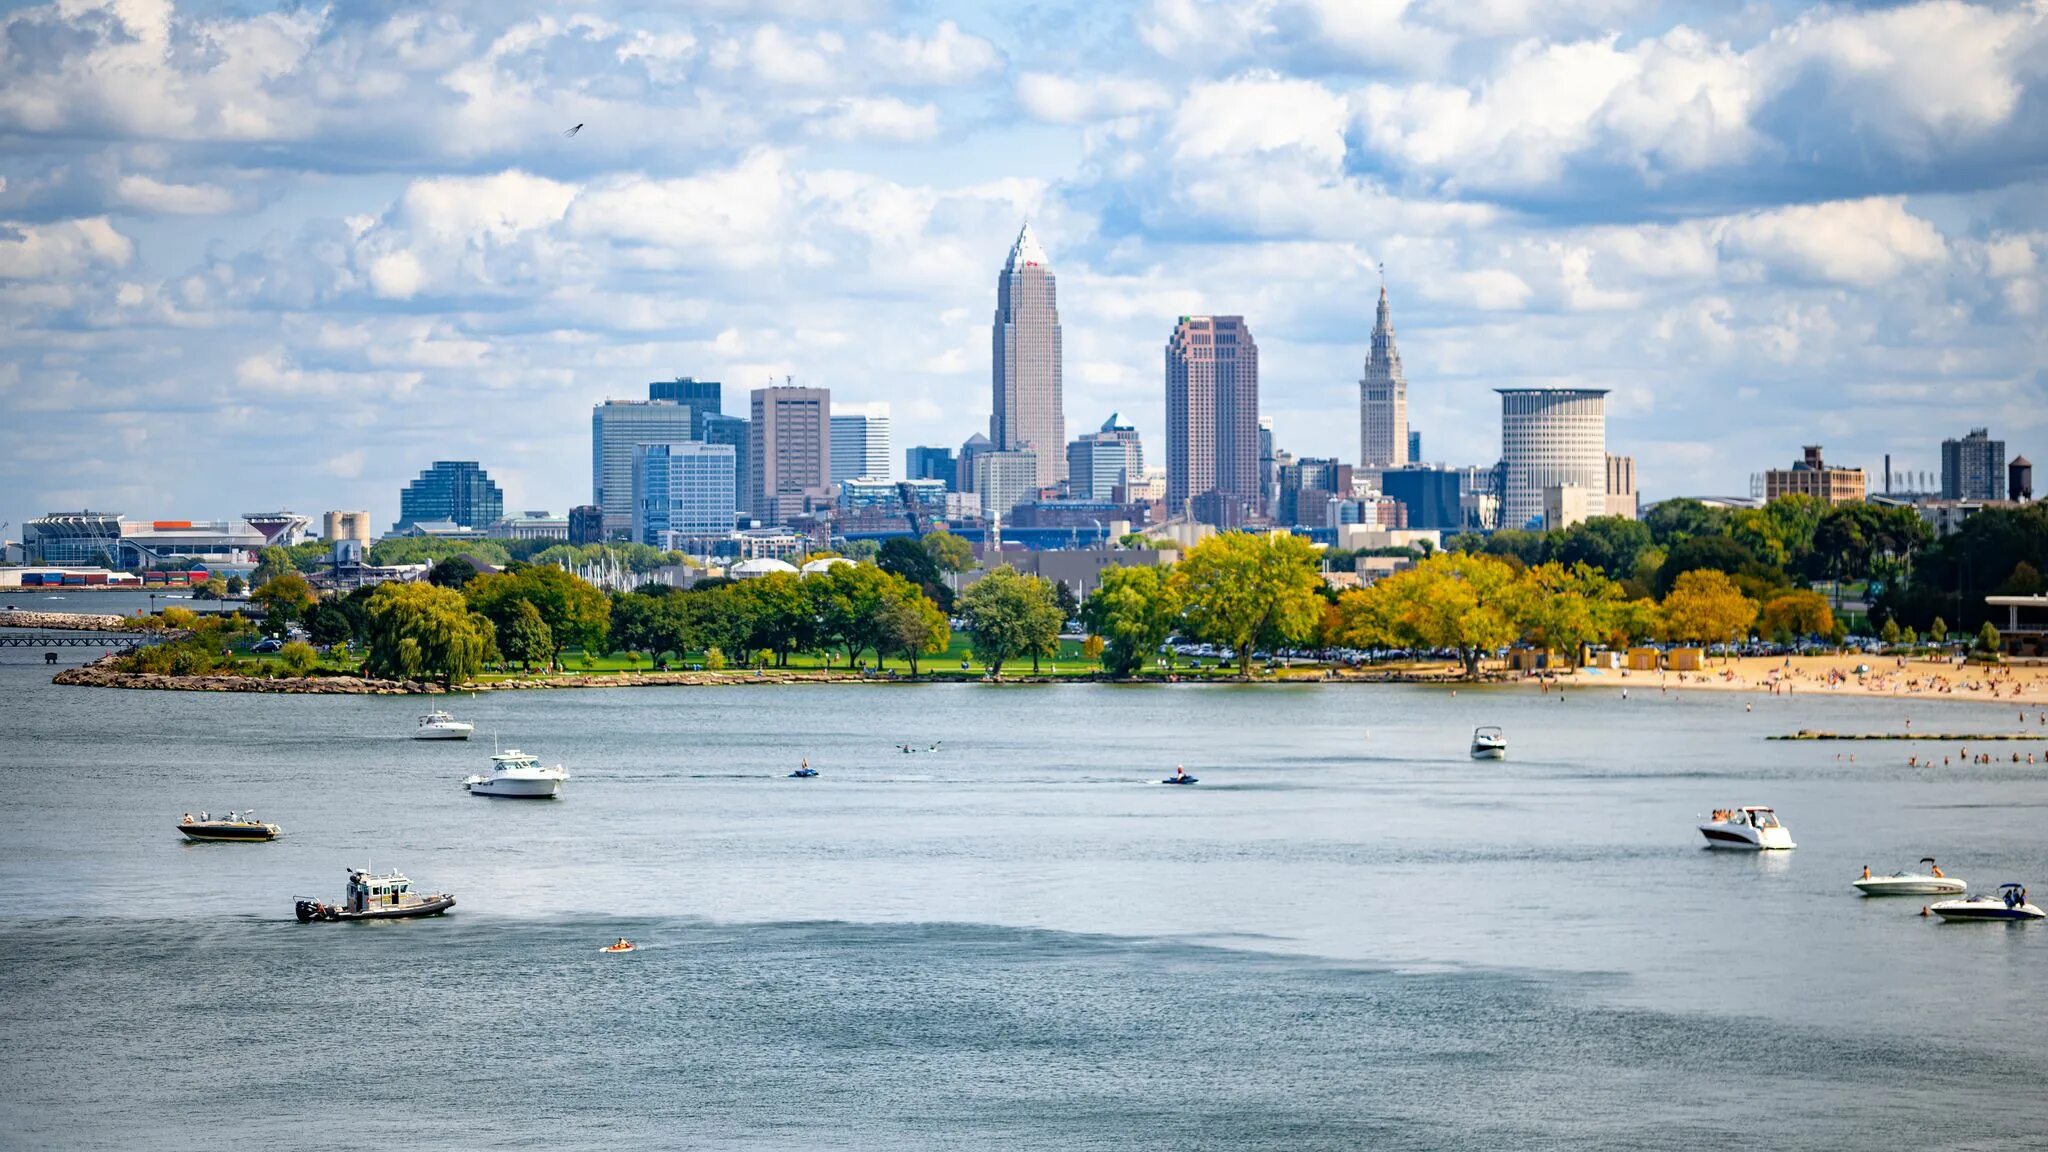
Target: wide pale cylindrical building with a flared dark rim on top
[(1551, 438)]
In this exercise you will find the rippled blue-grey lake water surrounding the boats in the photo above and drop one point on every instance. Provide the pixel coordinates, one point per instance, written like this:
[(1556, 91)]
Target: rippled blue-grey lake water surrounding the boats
[(1349, 936)]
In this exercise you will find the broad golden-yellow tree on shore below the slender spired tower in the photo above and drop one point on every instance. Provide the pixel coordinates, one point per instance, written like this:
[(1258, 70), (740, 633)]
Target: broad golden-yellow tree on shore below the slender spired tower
[(1453, 600)]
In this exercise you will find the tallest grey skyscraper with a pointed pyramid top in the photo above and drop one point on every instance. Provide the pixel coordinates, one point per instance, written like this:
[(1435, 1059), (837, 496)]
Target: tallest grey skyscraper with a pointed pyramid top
[(1029, 409)]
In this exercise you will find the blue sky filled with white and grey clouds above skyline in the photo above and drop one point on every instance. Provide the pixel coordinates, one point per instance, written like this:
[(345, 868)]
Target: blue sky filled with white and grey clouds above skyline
[(286, 257)]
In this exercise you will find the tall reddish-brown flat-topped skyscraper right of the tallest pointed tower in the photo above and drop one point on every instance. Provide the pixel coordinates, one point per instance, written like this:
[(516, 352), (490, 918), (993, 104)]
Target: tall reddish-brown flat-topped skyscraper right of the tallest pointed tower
[(1213, 421)]
